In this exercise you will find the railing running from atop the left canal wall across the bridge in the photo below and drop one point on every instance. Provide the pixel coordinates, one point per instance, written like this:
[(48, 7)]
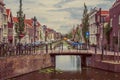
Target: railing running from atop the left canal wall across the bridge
[(7, 50)]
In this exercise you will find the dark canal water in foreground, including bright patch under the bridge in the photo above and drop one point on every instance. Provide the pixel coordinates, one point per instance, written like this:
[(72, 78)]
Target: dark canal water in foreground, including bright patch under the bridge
[(69, 68)]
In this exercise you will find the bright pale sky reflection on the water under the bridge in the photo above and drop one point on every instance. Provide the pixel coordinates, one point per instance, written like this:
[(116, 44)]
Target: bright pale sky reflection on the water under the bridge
[(68, 63)]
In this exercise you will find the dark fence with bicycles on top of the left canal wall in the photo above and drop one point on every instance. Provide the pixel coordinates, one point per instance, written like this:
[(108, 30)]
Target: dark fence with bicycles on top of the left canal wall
[(19, 49)]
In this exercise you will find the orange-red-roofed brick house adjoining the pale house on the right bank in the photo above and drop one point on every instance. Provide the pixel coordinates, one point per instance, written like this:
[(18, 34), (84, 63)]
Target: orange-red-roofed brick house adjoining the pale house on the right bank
[(102, 20)]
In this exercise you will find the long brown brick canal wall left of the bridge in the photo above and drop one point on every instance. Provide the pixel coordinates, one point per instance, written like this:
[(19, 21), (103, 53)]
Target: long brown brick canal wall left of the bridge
[(18, 65)]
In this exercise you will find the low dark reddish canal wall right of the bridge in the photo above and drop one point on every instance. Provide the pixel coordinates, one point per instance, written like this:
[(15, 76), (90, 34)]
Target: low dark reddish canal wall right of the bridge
[(108, 63)]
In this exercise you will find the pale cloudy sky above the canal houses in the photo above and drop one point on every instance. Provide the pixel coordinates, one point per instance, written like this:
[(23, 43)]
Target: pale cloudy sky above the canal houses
[(60, 15)]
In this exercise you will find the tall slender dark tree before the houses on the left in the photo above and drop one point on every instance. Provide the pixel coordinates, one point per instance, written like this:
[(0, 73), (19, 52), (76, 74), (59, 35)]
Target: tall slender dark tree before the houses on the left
[(19, 26)]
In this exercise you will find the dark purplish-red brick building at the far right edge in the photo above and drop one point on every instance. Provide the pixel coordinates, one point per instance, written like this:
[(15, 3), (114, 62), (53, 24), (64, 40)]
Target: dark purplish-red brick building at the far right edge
[(115, 24)]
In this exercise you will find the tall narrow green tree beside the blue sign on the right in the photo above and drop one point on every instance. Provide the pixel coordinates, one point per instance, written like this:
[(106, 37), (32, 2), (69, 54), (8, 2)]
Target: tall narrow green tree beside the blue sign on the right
[(85, 22)]
